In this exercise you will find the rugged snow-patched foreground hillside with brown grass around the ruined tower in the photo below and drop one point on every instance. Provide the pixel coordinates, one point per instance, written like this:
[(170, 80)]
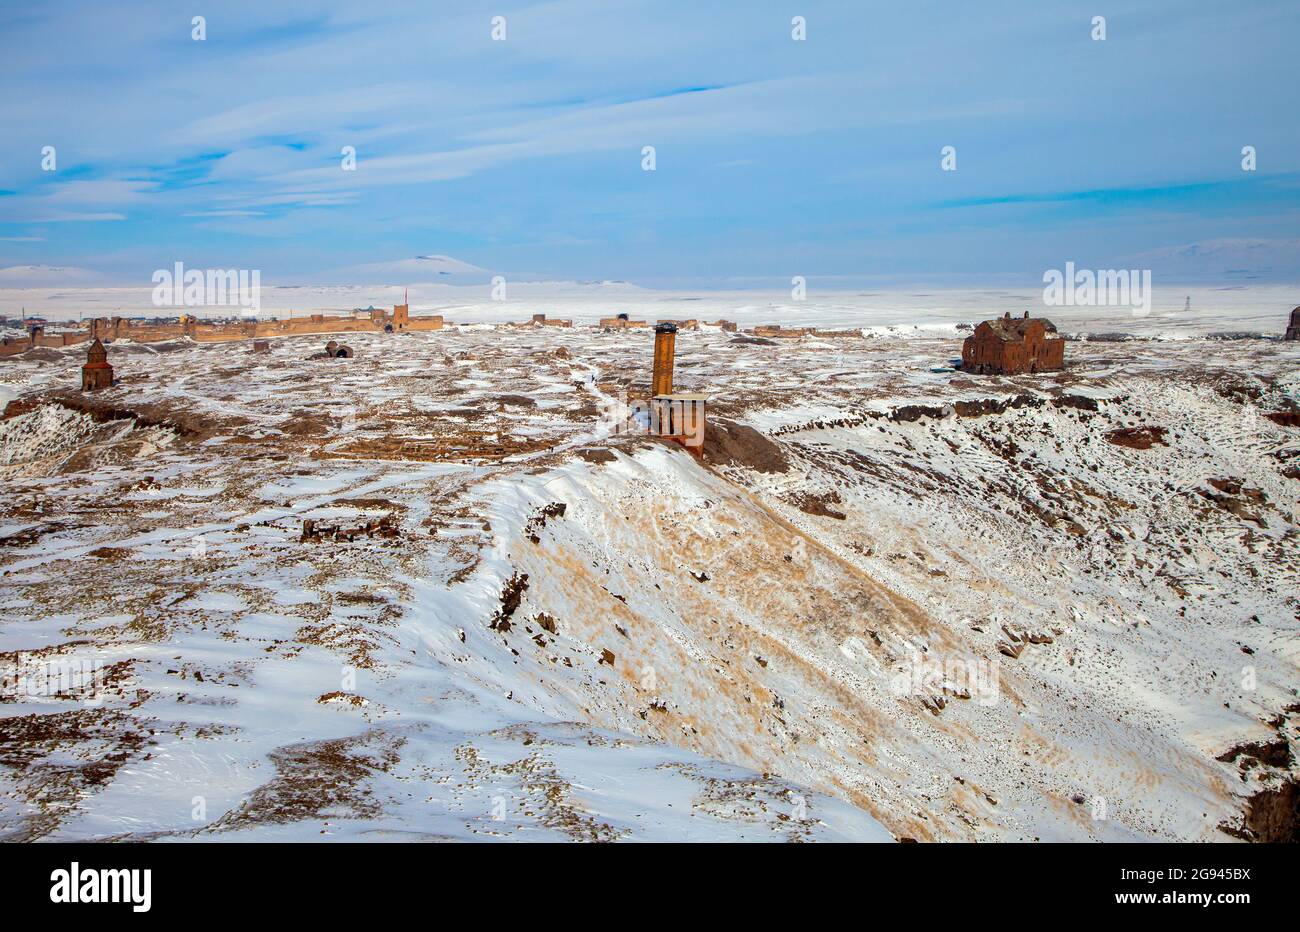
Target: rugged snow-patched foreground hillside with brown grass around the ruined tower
[(744, 648)]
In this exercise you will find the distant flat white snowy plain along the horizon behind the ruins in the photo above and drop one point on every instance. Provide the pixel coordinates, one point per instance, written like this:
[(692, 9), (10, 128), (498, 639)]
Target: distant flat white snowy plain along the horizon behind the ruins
[(1177, 311)]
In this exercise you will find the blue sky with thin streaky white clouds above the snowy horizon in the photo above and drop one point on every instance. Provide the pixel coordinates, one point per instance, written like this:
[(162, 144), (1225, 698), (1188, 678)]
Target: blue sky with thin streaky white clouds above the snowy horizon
[(774, 158)]
